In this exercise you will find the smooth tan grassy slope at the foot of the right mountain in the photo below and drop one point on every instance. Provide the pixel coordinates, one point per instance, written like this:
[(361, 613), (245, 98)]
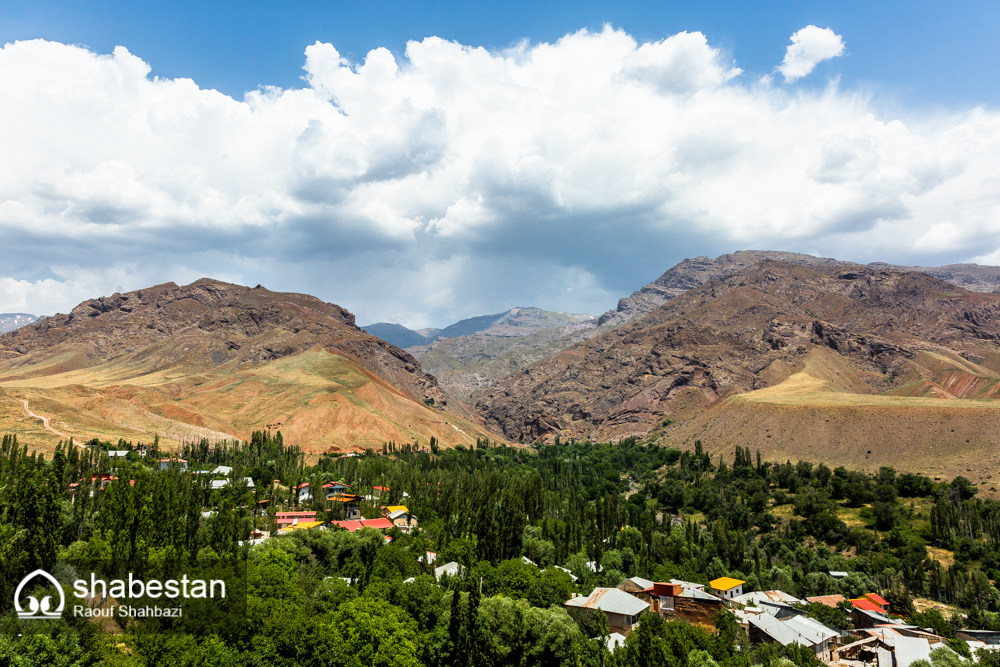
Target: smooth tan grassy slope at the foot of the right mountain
[(821, 413)]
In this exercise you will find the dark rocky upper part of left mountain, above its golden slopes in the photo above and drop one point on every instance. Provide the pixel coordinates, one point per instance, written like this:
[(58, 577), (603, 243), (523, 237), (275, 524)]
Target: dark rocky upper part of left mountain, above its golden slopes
[(208, 322)]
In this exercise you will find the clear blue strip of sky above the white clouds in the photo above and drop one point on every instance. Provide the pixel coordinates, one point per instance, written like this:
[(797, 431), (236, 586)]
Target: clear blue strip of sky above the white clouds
[(919, 52)]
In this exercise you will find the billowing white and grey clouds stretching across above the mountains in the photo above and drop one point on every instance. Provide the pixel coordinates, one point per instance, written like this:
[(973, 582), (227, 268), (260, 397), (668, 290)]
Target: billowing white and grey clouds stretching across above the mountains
[(458, 181)]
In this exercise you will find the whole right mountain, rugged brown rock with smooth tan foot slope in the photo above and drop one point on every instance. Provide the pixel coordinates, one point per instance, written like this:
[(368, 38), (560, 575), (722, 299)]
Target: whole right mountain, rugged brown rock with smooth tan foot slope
[(850, 363)]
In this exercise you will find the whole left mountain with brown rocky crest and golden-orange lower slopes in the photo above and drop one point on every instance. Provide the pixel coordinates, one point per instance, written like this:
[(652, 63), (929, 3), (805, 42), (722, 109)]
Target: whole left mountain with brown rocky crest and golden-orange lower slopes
[(216, 360)]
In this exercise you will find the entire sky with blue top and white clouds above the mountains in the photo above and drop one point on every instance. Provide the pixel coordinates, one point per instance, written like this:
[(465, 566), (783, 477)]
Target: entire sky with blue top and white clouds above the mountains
[(424, 162)]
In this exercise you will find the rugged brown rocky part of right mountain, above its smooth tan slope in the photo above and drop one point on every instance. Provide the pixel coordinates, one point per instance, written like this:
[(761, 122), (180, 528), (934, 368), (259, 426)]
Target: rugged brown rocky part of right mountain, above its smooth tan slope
[(726, 335)]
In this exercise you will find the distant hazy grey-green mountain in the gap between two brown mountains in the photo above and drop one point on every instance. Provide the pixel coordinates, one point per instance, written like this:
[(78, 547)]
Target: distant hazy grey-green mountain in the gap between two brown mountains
[(476, 352)]
